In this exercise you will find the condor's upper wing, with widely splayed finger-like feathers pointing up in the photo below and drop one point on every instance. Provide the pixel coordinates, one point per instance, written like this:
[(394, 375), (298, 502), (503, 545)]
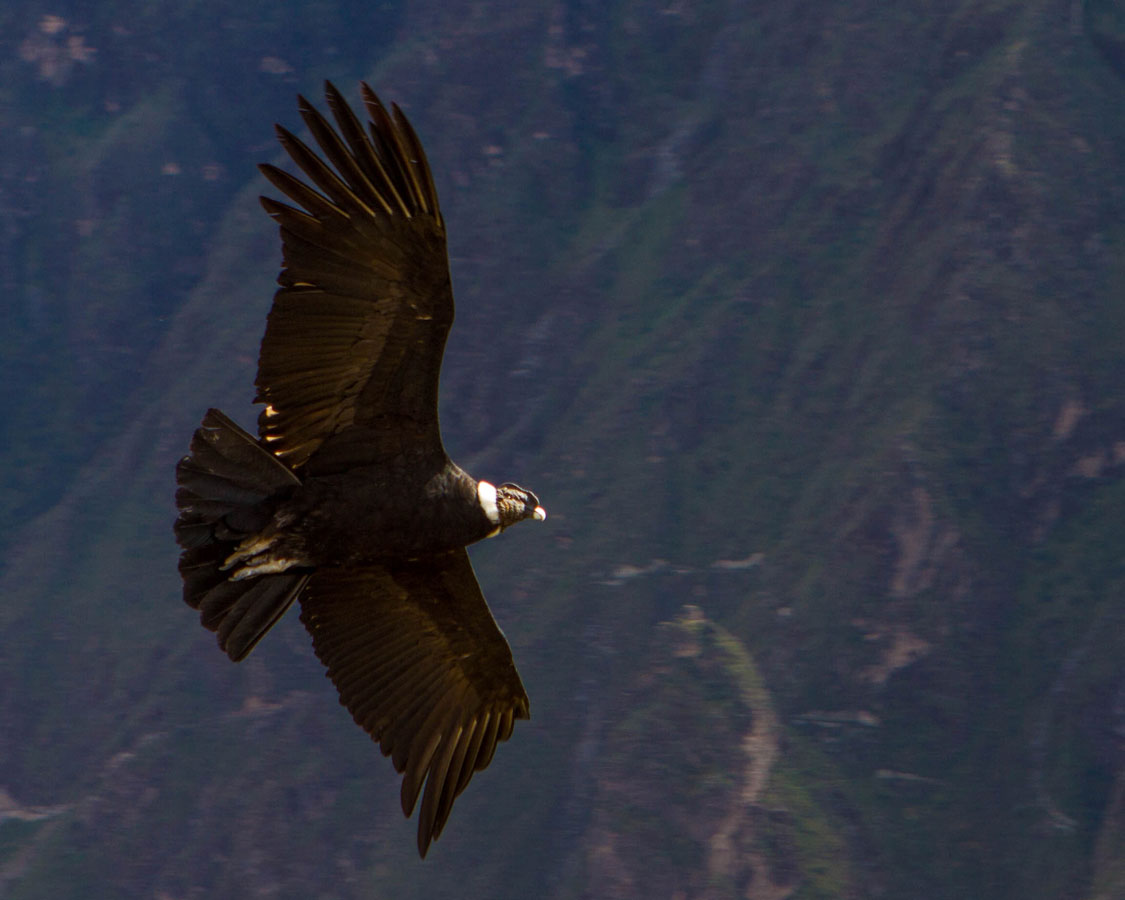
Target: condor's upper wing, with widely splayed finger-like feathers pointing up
[(358, 329)]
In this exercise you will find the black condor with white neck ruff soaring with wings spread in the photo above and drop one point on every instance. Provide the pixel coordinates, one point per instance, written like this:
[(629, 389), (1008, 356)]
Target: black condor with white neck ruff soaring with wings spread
[(347, 500)]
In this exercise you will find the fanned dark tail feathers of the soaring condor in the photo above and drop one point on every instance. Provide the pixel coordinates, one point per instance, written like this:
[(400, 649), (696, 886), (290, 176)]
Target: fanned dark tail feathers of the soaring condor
[(227, 490)]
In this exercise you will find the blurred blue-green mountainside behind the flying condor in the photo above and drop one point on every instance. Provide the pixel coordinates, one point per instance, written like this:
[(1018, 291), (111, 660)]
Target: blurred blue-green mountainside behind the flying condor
[(806, 320)]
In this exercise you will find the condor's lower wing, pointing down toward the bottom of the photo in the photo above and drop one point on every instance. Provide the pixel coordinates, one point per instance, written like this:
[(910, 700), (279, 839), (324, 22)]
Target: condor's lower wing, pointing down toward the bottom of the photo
[(424, 669)]
